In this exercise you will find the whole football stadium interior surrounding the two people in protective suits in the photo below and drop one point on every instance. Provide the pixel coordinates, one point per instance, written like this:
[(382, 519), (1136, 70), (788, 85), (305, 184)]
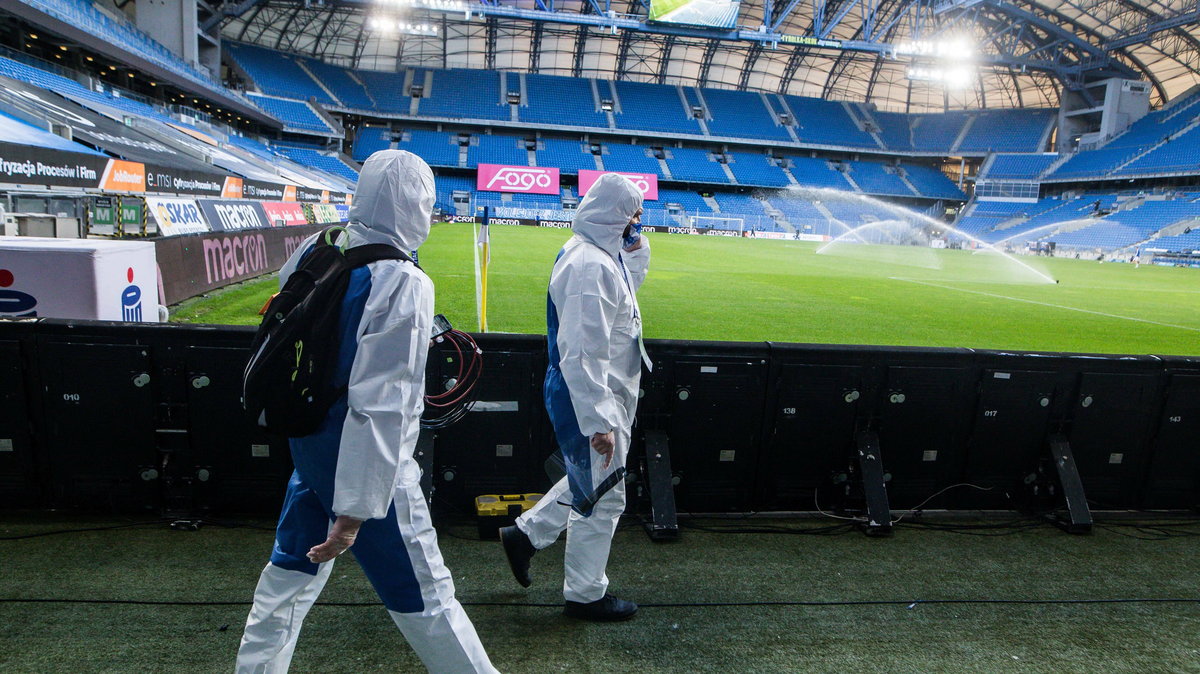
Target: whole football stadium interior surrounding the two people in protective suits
[(922, 316)]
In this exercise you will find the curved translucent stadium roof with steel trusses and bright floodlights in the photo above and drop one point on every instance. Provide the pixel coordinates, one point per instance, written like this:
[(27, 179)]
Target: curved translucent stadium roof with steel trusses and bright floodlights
[(1024, 52)]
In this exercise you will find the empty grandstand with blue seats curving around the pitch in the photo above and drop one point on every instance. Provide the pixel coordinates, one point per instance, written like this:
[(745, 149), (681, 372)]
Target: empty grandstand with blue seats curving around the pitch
[(729, 142)]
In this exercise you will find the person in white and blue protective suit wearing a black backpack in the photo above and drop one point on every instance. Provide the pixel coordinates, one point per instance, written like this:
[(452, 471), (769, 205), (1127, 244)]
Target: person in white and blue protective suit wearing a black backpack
[(357, 485)]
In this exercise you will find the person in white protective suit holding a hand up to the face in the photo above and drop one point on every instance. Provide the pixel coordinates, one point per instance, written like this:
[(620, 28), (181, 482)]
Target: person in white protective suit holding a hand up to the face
[(595, 332)]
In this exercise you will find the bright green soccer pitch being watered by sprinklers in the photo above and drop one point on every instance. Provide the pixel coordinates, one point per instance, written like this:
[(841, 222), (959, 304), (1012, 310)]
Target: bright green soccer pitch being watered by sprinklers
[(743, 290)]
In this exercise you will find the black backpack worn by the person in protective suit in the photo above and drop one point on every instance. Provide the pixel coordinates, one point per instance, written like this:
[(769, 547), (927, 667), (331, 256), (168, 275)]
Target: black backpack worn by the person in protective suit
[(287, 388)]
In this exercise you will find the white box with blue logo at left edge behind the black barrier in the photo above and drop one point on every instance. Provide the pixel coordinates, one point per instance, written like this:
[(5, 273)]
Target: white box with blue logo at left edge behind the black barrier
[(92, 280)]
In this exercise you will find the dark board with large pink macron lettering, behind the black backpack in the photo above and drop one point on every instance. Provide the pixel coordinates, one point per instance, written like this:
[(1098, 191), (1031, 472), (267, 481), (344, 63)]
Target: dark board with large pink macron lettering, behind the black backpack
[(197, 264)]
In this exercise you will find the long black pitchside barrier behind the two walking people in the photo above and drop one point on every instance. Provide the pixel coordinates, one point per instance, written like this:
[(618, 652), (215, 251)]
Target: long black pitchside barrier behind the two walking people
[(119, 418)]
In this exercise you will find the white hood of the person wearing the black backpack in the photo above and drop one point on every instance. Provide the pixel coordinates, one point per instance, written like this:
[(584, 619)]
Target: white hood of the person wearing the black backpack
[(394, 201)]
